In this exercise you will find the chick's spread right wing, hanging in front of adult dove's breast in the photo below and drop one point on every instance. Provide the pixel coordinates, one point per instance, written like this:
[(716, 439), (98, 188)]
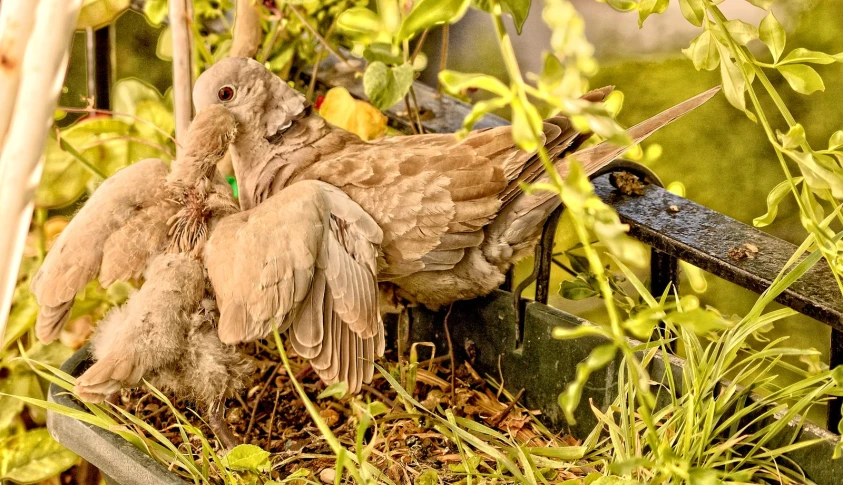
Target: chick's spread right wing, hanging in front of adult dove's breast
[(306, 258)]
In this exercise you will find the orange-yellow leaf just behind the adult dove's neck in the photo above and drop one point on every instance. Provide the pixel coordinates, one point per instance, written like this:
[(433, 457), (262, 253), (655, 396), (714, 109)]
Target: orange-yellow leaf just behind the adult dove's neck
[(359, 117)]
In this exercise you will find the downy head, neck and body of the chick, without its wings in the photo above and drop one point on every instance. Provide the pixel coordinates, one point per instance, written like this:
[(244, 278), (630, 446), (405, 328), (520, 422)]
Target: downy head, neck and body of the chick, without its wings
[(166, 331)]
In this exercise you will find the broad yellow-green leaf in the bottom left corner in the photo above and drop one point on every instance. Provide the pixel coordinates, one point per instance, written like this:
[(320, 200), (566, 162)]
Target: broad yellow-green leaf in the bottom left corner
[(34, 456)]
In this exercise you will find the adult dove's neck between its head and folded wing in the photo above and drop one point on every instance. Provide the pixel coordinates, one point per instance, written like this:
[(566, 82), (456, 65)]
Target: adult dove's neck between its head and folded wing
[(263, 166)]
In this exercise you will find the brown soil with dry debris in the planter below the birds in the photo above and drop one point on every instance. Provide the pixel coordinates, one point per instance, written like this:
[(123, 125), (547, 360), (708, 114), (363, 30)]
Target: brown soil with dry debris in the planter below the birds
[(268, 413)]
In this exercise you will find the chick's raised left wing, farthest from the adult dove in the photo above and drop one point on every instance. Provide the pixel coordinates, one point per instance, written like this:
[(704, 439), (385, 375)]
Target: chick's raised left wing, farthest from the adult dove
[(121, 208)]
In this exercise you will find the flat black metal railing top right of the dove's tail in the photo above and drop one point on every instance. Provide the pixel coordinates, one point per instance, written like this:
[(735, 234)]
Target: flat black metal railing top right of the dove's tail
[(717, 243)]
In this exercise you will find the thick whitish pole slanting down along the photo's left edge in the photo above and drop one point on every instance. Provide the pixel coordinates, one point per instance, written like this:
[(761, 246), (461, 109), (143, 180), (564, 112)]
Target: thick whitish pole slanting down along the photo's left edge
[(21, 162)]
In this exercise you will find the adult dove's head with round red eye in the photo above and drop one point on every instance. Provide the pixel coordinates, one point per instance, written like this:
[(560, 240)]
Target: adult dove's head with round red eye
[(262, 103)]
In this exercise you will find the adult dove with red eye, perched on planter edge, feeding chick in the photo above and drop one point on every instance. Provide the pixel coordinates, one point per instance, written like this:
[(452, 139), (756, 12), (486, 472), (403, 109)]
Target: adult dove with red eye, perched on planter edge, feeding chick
[(452, 211)]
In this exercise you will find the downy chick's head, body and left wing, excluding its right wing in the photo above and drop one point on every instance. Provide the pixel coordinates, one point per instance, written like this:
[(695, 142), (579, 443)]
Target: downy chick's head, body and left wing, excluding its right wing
[(145, 220)]
